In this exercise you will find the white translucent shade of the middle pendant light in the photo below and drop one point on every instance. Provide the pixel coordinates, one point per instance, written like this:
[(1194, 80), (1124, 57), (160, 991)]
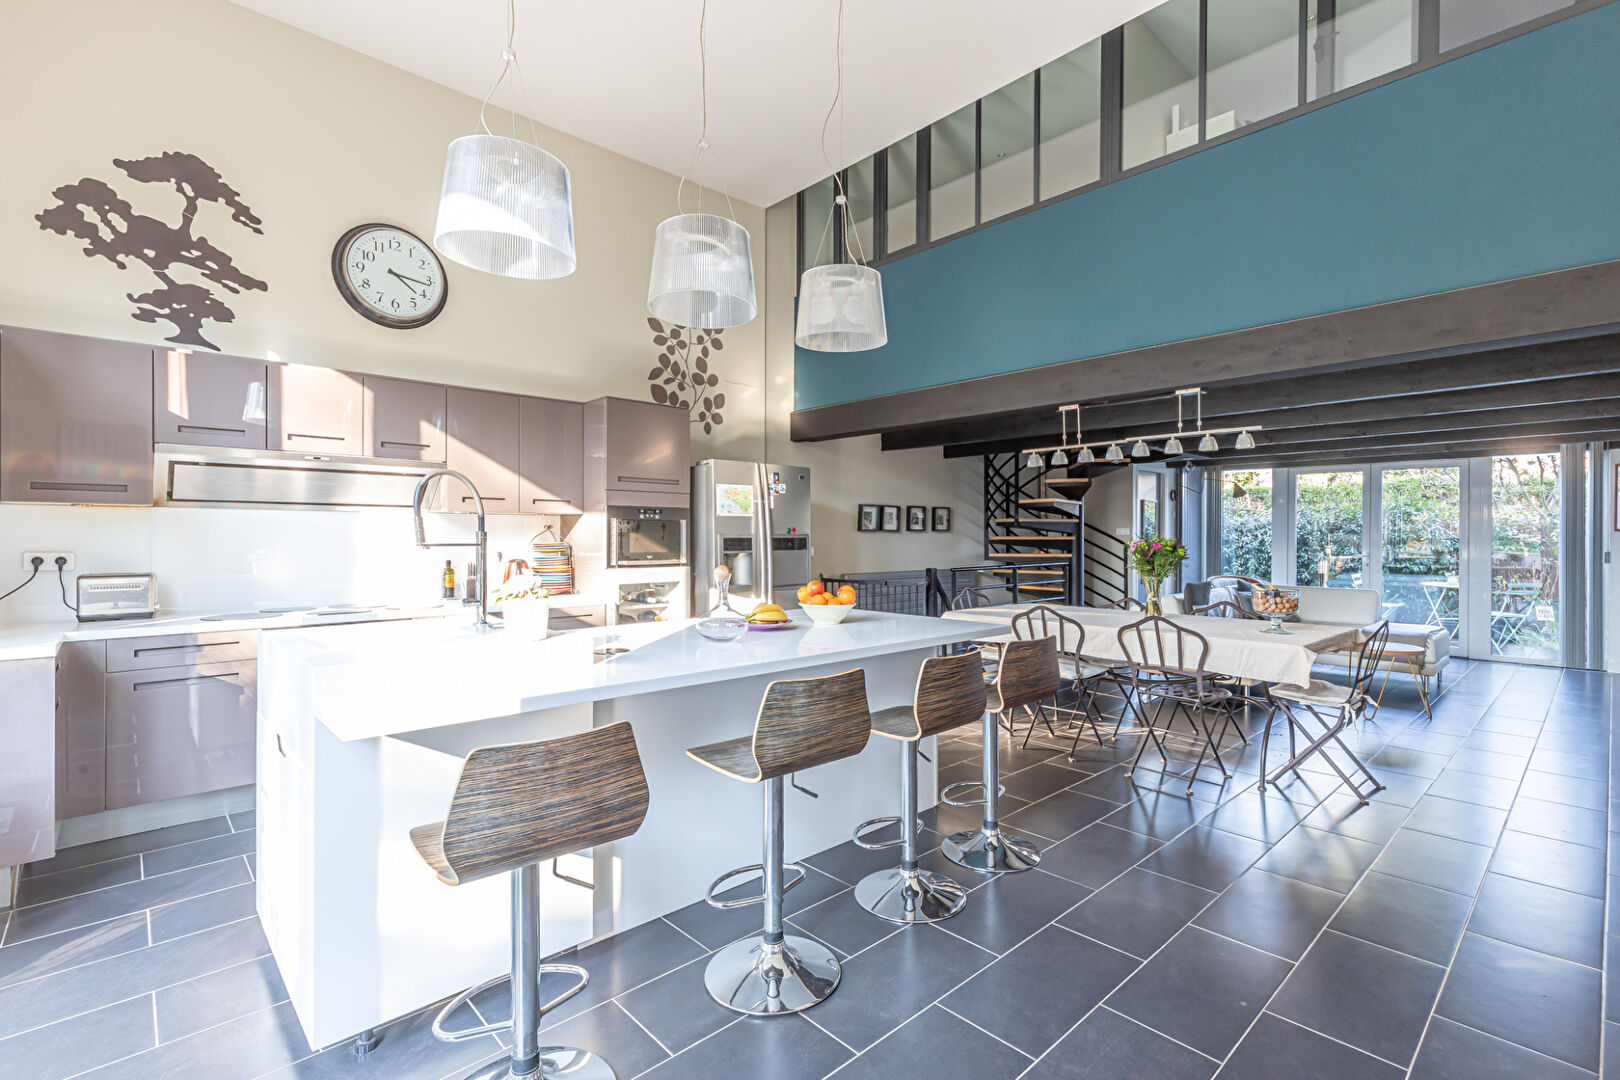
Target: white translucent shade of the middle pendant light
[(702, 273)]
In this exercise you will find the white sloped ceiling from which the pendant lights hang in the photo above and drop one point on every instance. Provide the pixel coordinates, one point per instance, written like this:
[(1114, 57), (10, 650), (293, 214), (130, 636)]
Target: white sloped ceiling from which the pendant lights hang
[(625, 74)]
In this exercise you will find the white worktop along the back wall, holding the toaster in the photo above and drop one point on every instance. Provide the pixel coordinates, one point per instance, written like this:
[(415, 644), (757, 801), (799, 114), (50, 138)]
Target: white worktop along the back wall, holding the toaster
[(40, 640)]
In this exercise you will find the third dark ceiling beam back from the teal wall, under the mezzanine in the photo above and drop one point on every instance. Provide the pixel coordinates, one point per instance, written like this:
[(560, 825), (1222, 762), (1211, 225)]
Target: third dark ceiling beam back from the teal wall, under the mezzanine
[(1425, 414)]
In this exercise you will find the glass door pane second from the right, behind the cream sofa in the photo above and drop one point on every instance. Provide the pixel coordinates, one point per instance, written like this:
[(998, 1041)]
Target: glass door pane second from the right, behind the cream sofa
[(1422, 546)]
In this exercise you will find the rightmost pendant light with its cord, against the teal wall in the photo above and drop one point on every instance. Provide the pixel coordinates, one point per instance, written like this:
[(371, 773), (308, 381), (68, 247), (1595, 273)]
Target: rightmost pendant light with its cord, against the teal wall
[(842, 304)]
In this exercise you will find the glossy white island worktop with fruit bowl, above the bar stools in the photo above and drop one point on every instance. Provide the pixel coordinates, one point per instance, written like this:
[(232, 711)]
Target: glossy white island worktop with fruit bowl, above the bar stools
[(416, 676)]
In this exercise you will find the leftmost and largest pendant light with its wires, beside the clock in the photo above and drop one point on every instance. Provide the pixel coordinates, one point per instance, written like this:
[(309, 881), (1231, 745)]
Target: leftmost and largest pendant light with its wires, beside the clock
[(506, 205)]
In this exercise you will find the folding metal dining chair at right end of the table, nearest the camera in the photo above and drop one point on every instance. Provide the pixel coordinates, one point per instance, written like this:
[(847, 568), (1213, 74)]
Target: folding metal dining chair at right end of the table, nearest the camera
[(1332, 708)]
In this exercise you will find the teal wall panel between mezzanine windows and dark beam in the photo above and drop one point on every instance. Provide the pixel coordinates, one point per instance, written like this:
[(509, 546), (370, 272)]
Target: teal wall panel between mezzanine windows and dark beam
[(1496, 166)]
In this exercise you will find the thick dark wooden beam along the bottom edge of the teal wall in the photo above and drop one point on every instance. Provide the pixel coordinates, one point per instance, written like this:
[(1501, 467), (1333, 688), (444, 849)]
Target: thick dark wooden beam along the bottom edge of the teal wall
[(1580, 302)]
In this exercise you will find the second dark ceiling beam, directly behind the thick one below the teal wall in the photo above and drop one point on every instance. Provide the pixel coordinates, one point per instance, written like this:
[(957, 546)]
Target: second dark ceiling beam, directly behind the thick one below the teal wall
[(1498, 372)]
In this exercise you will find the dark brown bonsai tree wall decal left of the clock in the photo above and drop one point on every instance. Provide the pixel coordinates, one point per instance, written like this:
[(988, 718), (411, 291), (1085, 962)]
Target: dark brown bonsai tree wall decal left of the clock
[(111, 229)]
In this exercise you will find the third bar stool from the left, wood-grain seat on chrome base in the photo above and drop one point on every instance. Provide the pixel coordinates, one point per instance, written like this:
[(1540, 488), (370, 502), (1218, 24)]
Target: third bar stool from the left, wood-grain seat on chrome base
[(950, 694)]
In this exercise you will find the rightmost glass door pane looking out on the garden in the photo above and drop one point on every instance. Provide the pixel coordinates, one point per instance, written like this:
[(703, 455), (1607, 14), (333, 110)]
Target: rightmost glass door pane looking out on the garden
[(1522, 610)]
